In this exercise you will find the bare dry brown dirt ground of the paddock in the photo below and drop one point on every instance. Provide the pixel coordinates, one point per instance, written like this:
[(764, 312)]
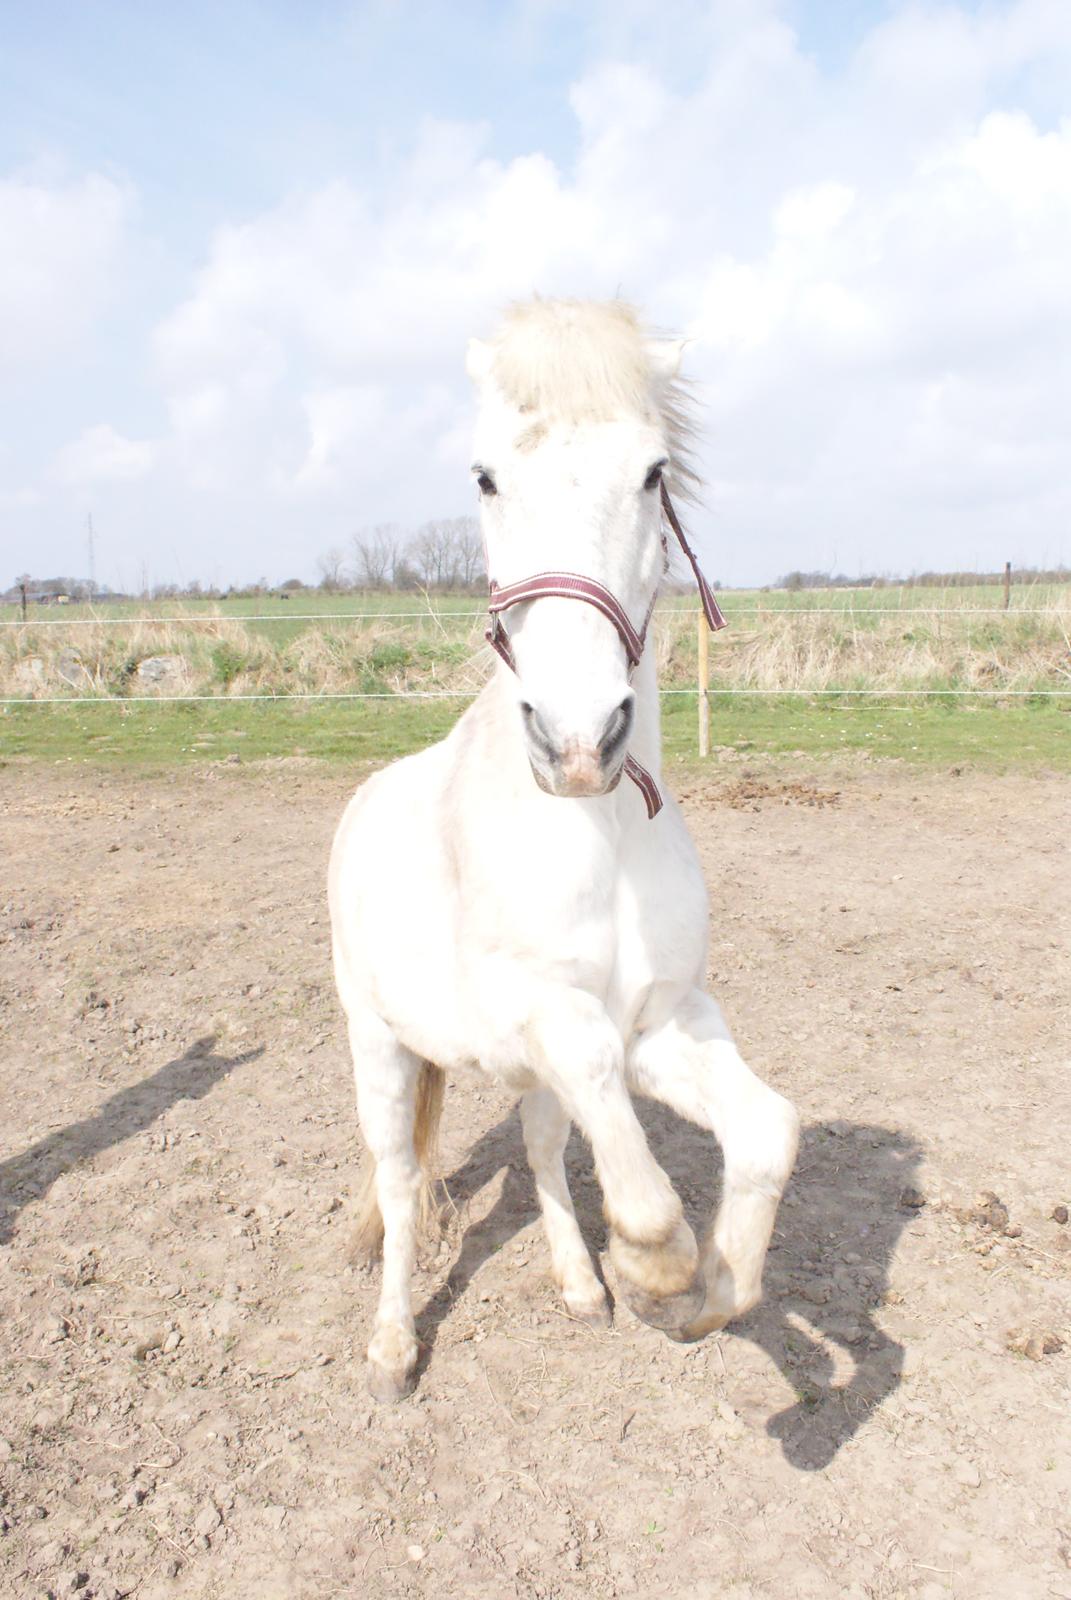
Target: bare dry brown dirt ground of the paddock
[(183, 1406)]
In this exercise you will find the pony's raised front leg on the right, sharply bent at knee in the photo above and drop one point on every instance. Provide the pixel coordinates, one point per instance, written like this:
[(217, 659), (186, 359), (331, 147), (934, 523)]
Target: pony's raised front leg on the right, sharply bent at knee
[(692, 1065)]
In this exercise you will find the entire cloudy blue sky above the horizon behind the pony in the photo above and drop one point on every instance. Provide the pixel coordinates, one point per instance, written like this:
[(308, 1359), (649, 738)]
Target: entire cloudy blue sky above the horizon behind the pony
[(246, 247)]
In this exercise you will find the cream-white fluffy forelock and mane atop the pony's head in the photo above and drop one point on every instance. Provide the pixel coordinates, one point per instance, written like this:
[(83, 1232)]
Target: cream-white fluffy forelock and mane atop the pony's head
[(590, 362)]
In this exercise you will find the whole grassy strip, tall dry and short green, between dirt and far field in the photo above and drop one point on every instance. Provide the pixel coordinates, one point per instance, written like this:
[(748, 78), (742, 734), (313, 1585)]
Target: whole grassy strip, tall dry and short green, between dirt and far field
[(888, 641)]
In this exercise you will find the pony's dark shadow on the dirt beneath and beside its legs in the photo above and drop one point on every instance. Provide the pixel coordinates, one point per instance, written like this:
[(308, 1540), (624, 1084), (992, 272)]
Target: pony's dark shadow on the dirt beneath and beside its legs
[(844, 1202)]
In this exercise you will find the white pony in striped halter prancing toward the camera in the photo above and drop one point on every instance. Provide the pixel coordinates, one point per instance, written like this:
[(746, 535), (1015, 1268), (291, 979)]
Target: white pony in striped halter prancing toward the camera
[(502, 905)]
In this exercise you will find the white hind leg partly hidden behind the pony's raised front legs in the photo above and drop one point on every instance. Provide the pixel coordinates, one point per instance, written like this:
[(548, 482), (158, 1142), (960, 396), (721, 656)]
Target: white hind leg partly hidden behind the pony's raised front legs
[(545, 1127)]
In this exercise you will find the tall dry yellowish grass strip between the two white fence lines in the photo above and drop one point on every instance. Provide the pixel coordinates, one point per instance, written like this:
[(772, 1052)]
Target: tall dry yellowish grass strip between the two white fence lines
[(774, 650)]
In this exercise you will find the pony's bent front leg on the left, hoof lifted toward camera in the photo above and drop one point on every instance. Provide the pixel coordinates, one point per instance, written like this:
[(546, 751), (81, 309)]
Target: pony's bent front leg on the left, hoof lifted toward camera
[(580, 1057)]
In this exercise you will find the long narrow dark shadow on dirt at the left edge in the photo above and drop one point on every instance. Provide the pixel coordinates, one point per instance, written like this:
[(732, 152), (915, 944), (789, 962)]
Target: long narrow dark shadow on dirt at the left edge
[(31, 1175)]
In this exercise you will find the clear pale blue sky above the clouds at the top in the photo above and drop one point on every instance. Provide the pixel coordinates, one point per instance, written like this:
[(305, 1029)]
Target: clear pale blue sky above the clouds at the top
[(215, 113)]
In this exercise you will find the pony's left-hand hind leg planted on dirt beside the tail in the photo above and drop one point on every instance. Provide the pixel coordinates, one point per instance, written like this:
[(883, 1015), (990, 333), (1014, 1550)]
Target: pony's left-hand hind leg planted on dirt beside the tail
[(399, 1100)]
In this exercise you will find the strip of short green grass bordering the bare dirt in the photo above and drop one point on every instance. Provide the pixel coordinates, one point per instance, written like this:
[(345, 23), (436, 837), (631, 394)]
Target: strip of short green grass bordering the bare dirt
[(934, 734)]
